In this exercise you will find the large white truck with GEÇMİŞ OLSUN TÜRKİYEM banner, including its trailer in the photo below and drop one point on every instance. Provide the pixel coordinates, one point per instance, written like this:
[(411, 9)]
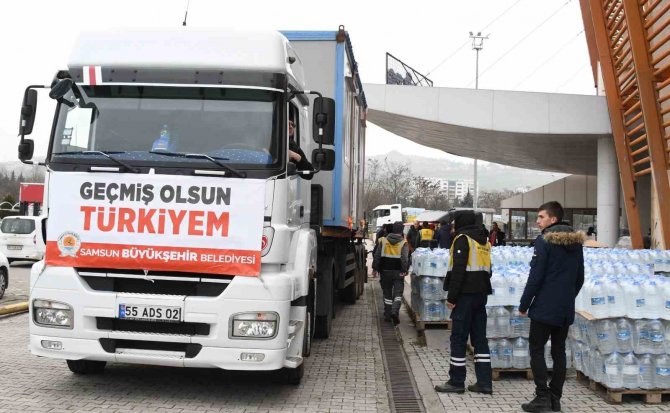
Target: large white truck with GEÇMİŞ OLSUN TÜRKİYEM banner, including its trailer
[(178, 232)]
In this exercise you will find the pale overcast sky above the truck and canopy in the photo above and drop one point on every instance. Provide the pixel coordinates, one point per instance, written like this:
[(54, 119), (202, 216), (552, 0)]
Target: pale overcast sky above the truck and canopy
[(534, 45)]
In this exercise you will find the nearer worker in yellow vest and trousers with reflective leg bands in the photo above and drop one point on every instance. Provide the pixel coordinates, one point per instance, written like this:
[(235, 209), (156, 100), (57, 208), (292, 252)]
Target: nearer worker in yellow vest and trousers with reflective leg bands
[(468, 282)]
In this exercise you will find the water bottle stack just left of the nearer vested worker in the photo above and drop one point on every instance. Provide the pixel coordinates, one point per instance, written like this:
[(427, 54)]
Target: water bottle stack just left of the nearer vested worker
[(429, 267)]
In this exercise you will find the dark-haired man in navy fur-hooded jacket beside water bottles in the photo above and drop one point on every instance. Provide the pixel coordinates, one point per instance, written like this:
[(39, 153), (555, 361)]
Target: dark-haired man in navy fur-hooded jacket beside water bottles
[(556, 276)]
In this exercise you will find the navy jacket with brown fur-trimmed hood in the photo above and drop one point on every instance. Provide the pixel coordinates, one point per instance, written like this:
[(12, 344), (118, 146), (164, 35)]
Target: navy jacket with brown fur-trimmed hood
[(556, 276)]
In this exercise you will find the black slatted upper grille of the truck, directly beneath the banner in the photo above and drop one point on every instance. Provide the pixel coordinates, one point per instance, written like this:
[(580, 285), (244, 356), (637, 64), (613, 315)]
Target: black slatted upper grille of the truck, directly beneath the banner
[(164, 283)]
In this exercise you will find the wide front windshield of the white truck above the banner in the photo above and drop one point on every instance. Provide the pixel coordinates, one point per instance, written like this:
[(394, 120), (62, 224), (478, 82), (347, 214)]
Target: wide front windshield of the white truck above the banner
[(233, 125)]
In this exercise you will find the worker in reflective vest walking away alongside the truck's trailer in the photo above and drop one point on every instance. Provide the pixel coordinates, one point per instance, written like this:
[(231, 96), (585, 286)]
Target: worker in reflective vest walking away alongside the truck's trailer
[(391, 260)]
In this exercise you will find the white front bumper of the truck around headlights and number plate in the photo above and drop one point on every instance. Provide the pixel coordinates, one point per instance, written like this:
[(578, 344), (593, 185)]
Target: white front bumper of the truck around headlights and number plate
[(97, 335)]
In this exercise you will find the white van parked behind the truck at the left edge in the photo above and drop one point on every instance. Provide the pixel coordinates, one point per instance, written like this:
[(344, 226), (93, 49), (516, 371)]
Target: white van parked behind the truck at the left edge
[(21, 238)]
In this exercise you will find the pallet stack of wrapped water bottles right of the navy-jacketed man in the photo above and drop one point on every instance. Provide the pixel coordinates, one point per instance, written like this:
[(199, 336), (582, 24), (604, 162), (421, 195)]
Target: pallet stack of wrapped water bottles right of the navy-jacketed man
[(625, 343)]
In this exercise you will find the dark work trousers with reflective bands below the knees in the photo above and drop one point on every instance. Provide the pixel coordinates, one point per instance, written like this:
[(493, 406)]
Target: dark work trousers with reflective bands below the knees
[(469, 319)]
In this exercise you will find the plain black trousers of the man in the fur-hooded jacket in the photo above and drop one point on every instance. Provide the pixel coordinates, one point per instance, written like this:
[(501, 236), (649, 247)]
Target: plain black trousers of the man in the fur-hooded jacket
[(539, 334)]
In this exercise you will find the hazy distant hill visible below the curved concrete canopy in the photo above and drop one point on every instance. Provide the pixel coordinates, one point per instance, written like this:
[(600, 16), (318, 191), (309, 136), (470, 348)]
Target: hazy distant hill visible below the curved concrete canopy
[(491, 176)]
